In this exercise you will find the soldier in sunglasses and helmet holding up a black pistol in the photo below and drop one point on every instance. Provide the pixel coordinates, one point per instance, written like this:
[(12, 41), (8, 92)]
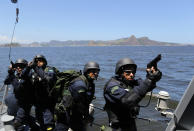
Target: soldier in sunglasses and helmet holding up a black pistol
[(123, 92)]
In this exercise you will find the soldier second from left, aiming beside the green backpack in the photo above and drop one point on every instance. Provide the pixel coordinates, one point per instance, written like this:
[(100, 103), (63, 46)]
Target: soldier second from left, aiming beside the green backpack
[(44, 78)]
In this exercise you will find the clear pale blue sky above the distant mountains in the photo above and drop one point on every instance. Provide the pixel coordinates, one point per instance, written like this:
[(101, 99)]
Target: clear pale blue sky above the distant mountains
[(45, 20)]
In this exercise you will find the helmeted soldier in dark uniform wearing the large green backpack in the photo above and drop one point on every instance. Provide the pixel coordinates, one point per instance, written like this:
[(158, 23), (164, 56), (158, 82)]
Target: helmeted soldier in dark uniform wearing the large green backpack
[(82, 91)]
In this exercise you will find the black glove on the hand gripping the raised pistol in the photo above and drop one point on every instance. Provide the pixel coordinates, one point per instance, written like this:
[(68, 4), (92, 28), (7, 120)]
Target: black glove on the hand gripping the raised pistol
[(154, 77)]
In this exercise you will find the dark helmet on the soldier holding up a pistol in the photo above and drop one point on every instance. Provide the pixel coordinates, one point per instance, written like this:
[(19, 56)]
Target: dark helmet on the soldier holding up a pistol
[(124, 62)]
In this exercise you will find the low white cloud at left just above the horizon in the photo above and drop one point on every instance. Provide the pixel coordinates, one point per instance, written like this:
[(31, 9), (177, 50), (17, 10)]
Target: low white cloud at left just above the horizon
[(6, 39)]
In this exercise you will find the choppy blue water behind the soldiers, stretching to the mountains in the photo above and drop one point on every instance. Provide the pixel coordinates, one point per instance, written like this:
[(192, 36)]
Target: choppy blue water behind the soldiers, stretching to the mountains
[(177, 66)]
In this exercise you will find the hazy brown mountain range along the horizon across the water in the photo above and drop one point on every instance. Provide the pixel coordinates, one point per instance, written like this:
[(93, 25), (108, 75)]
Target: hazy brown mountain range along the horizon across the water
[(129, 41)]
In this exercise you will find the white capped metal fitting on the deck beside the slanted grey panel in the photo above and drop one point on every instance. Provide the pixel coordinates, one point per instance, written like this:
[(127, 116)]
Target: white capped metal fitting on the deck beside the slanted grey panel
[(162, 104)]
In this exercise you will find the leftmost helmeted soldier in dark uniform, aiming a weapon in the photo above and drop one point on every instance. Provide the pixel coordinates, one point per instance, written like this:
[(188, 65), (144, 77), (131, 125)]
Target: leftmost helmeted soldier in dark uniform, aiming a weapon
[(19, 76)]
